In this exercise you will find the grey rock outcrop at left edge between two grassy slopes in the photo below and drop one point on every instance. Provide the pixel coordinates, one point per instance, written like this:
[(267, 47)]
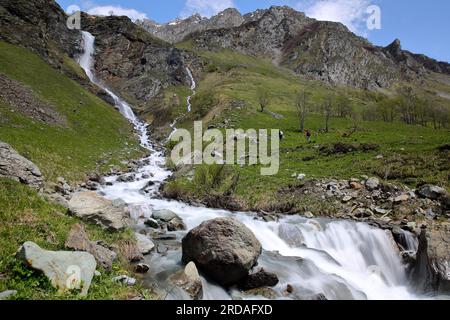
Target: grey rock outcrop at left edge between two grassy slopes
[(16, 167)]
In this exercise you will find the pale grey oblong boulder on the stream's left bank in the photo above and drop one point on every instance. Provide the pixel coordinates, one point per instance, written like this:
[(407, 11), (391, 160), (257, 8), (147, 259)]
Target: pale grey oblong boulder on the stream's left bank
[(96, 209)]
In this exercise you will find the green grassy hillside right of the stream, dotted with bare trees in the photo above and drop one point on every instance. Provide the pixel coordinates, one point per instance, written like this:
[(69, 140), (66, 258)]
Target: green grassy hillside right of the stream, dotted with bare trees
[(409, 152)]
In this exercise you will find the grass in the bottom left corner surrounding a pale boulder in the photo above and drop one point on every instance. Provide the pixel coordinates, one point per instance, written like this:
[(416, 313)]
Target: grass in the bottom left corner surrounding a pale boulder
[(27, 217)]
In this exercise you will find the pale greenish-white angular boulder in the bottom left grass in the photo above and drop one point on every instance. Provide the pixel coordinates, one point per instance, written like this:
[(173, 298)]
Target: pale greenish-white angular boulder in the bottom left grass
[(65, 270)]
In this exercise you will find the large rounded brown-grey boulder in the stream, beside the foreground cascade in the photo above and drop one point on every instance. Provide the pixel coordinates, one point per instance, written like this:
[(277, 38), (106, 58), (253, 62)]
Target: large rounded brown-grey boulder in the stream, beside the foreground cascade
[(223, 248)]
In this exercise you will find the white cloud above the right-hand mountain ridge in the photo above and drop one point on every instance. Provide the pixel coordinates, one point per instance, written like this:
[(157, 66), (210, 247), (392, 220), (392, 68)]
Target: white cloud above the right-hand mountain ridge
[(351, 13)]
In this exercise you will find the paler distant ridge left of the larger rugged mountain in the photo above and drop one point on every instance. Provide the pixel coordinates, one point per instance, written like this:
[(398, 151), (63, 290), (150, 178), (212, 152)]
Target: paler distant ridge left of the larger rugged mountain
[(177, 30)]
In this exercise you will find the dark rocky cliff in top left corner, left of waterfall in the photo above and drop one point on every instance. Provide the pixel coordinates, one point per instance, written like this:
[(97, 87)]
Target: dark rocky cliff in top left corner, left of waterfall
[(39, 25)]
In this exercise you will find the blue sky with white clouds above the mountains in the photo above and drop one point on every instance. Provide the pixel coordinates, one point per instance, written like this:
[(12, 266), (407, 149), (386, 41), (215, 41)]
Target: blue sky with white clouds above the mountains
[(422, 26)]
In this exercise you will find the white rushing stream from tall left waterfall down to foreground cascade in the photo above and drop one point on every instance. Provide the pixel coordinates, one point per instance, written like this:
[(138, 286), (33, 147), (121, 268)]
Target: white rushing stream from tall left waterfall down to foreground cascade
[(340, 259)]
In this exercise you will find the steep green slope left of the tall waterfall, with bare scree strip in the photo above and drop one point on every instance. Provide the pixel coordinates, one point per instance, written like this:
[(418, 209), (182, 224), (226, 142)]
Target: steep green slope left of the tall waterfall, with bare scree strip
[(96, 135)]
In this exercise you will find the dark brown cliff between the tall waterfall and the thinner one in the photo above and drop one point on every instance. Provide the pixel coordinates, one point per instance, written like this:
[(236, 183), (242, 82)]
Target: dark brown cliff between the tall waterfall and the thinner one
[(133, 62)]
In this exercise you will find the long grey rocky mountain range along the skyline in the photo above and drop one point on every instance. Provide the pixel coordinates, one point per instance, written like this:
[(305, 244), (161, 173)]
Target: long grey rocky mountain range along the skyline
[(325, 51)]
